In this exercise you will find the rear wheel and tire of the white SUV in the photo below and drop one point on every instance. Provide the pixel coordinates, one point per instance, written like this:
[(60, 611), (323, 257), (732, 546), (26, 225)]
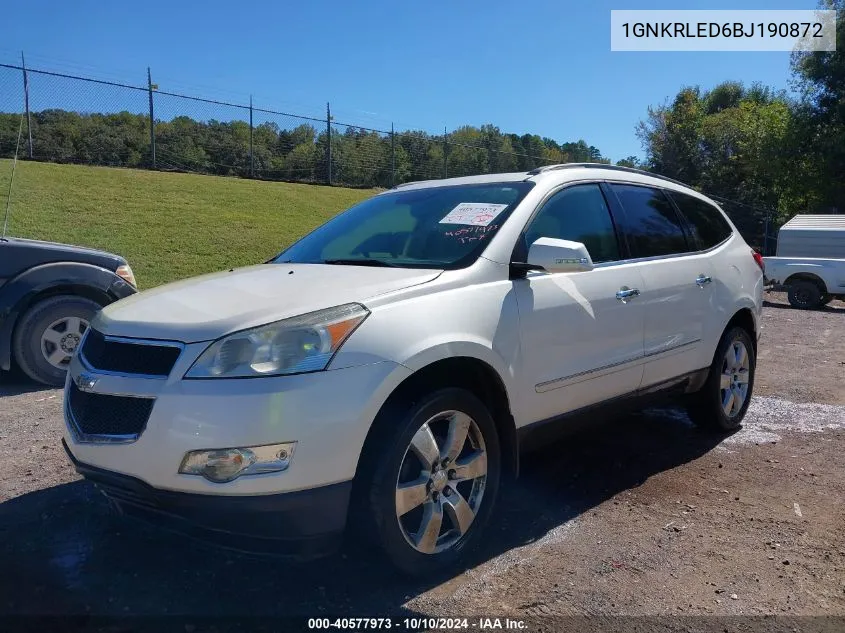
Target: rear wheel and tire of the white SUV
[(708, 408)]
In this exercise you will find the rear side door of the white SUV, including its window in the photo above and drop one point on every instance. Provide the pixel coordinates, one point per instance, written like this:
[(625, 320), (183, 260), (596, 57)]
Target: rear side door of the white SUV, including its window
[(677, 280)]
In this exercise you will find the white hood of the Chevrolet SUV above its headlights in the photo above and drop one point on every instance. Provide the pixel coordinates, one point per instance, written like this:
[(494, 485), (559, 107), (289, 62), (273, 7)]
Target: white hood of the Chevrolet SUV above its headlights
[(208, 307)]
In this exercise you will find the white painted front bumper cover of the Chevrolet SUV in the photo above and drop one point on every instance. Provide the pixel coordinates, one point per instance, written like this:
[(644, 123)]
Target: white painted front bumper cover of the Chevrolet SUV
[(328, 414)]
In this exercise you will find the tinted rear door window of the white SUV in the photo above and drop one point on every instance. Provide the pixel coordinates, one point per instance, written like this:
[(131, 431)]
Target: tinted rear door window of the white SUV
[(650, 222)]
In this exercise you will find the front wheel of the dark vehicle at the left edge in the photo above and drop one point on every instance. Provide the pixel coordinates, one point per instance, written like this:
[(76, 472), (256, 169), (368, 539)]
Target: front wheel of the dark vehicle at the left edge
[(49, 328)]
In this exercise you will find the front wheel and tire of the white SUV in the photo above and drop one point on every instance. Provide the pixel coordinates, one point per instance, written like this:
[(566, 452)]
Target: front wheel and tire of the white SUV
[(393, 461)]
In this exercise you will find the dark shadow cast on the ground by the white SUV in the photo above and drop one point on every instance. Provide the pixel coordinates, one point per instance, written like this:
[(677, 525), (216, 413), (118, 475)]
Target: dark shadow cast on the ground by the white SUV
[(64, 553)]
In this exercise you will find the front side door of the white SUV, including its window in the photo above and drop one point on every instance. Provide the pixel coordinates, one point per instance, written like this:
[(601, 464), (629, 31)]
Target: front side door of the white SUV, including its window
[(581, 344)]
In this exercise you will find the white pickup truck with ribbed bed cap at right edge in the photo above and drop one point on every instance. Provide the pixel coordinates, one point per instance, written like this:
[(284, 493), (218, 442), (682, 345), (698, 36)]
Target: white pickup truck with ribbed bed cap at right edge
[(810, 261)]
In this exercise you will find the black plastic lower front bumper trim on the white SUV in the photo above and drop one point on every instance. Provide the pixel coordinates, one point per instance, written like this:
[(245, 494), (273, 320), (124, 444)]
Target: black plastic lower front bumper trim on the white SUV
[(303, 524)]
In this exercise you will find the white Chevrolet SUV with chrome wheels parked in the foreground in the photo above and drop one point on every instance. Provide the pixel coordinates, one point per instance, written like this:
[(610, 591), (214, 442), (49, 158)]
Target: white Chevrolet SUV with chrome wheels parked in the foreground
[(386, 369)]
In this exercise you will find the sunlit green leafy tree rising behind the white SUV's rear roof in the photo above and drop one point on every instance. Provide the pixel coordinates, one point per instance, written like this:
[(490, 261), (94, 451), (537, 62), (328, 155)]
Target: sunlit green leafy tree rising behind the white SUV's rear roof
[(731, 142)]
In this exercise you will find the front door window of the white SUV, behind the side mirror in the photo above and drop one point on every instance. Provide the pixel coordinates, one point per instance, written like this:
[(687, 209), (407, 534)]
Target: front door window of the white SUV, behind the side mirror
[(579, 214)]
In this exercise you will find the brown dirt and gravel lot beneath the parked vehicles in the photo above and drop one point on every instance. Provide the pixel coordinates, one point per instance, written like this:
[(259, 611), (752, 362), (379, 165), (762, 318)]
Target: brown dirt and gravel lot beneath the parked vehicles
[(643, 515)]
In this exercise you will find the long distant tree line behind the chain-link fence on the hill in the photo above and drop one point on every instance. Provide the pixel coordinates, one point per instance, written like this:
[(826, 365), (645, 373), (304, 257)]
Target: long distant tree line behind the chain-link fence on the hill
[(359, 157)]
